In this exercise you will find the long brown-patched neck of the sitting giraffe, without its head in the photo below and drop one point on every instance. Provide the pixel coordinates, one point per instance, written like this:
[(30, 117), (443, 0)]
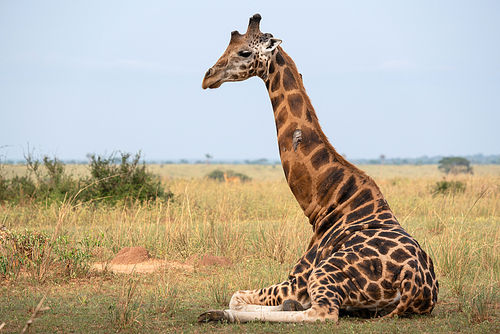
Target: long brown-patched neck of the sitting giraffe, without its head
[(321, 179)]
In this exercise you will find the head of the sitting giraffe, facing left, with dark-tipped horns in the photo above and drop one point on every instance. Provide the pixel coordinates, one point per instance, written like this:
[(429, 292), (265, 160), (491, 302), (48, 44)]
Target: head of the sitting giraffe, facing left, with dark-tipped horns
[(246, 56)]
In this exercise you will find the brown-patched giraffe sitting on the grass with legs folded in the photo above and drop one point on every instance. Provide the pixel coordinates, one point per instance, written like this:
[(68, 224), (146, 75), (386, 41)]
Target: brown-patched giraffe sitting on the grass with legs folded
[(359, 259)]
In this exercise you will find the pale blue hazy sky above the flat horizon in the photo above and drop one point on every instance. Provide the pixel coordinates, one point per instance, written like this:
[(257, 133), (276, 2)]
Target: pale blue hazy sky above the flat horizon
[(400, 78)]
